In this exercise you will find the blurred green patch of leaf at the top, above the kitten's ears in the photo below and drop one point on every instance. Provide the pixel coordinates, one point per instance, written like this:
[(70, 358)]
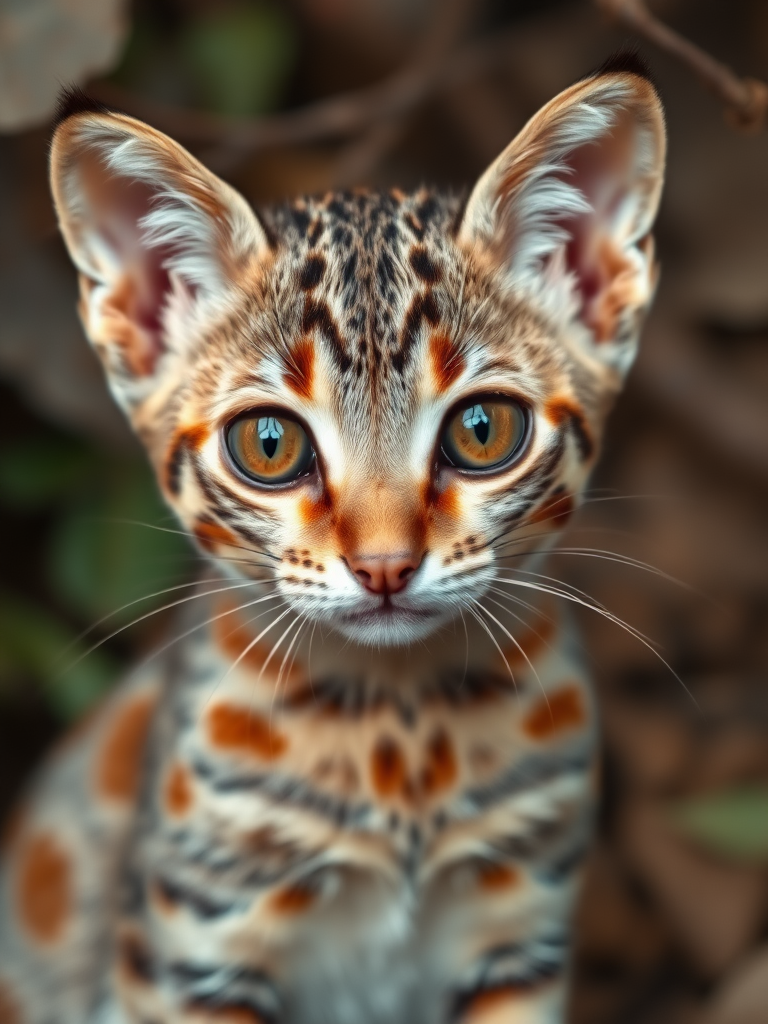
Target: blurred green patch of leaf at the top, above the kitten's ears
[(240, 58)]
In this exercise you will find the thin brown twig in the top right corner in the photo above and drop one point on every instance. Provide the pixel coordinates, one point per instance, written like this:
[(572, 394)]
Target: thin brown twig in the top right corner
[(746, 99)]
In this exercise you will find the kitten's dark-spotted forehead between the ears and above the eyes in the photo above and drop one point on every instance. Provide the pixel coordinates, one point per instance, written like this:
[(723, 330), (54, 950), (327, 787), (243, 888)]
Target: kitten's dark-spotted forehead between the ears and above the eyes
[(378, 283)]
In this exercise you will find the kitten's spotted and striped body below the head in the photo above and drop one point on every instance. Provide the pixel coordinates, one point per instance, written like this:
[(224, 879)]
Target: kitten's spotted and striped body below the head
[(362, 854)]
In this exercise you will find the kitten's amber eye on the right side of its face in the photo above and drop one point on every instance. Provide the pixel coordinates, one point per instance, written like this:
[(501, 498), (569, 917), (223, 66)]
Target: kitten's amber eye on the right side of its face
[(485, 434)]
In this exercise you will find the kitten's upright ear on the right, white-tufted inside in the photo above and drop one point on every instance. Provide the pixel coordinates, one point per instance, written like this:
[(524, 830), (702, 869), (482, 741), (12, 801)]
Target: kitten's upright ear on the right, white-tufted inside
[(566, 211)]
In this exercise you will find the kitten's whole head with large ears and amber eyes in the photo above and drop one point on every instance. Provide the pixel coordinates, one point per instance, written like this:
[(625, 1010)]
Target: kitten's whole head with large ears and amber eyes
[(372, 401)]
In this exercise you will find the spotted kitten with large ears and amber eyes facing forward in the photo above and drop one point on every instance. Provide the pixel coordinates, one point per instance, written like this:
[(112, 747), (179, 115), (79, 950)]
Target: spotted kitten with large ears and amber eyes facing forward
[(360, 786)]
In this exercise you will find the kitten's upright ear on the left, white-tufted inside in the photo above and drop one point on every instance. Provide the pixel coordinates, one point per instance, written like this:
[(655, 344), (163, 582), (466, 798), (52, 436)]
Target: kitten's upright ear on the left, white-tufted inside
[(158, 240)]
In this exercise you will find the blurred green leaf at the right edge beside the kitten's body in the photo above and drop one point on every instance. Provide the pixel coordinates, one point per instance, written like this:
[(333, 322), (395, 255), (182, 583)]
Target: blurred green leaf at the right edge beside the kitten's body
[(734, 824)]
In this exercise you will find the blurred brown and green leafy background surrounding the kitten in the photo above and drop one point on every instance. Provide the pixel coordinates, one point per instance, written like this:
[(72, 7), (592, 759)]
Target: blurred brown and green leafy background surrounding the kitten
[(305, 96)]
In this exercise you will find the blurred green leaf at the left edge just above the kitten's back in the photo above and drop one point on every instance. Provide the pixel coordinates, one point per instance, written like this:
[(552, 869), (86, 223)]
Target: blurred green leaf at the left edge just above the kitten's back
[(34, 645)]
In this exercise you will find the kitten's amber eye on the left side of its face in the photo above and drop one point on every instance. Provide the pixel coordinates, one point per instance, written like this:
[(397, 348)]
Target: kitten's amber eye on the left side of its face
[(270, 447)]
